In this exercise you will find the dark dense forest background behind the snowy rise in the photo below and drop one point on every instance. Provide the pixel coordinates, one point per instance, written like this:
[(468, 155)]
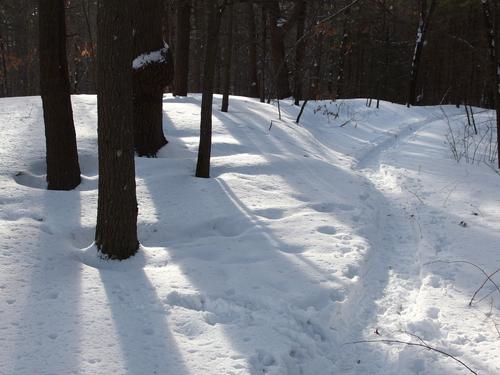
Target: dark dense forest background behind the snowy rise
[(283, 48)]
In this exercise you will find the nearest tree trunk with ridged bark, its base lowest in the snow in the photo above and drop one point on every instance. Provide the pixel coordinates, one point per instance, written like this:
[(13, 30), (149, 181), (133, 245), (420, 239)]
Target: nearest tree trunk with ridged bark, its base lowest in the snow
[(116, 232)]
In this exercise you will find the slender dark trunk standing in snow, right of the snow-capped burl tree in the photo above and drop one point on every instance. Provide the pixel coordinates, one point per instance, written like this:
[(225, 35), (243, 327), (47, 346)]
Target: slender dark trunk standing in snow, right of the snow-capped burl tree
[(211, 49)]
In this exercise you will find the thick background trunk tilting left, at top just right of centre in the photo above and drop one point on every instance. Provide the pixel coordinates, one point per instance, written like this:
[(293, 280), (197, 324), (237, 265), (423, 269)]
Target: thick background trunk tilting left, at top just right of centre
[(278, 52)]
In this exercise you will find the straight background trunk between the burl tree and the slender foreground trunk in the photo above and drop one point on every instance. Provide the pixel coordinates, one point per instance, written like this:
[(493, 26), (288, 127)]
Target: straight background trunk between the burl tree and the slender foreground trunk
[(182, 38)]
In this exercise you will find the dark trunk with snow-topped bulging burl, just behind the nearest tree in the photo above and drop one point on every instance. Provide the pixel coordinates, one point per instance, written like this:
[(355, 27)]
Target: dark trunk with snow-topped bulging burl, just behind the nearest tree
[(149, 80)]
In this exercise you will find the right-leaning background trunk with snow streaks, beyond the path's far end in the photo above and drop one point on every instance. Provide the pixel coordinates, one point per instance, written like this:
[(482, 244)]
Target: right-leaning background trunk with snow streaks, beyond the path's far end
[(423, 25)]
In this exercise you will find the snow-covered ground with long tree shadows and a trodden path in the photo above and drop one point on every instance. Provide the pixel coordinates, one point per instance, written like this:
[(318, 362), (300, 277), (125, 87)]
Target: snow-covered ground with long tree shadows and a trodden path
[(307, 238)]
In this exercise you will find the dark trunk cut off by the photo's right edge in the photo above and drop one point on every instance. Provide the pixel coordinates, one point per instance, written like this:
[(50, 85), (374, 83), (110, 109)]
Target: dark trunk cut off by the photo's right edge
[(489, 18)]
